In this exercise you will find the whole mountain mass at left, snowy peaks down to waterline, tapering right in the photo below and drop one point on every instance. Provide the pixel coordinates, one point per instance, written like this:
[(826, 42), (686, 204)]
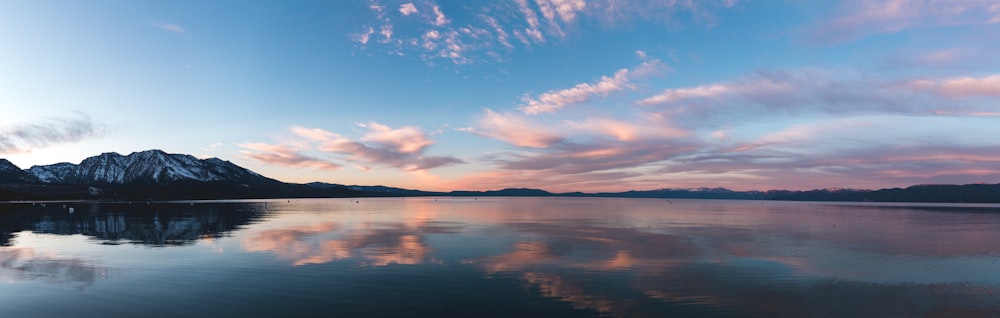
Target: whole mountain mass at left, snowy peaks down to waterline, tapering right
[(152, 174)]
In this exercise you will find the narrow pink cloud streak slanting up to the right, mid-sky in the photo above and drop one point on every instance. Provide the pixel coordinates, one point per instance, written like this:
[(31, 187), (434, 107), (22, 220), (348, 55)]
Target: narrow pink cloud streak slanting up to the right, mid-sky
[(552, 101)]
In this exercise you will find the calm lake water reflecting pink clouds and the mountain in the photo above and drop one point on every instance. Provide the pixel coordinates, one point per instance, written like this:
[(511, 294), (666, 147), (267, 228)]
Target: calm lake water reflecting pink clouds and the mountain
[(498, 257)]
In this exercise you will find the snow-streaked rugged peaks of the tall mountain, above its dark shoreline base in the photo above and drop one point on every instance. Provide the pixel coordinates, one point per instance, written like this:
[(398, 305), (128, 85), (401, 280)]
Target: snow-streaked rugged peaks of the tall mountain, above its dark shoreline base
[(145, 167)]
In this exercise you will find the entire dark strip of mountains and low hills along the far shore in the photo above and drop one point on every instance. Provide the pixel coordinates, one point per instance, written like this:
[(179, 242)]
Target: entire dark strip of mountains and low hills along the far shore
[(154, 174)]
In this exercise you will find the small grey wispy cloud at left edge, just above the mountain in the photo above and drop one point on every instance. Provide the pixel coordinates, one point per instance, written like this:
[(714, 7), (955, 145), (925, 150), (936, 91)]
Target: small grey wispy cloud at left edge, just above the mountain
[(26, 137)]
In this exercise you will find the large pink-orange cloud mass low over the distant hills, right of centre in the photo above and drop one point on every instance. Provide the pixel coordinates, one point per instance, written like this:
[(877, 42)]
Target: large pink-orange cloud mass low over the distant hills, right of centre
[(590, 153)]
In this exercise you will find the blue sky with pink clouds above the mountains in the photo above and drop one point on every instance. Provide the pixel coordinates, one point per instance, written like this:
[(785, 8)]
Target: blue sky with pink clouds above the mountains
[(561, 95)]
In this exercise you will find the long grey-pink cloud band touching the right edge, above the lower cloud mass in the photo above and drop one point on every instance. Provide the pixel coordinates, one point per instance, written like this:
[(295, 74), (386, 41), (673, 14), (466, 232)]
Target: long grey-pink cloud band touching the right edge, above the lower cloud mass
[(785, 93)]
